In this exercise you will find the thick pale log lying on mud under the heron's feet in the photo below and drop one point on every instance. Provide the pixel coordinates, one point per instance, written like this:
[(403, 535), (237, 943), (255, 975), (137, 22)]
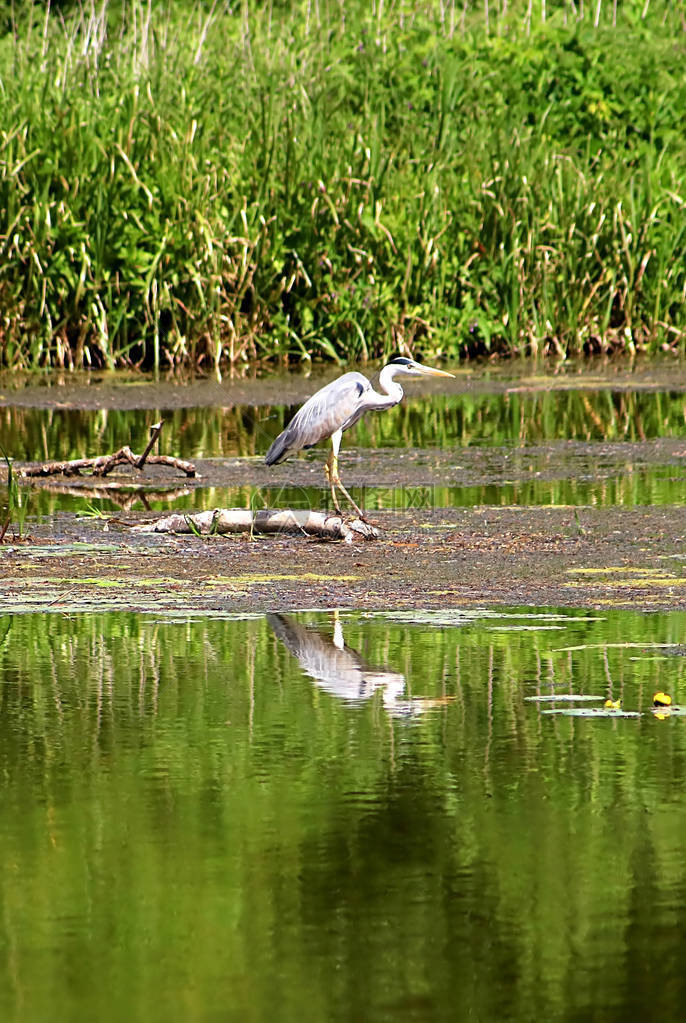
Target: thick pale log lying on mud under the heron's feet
[(222, 521)]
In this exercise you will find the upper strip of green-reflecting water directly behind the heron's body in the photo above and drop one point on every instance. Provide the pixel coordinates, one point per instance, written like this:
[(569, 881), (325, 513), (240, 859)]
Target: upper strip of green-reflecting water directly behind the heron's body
[(456, 421)]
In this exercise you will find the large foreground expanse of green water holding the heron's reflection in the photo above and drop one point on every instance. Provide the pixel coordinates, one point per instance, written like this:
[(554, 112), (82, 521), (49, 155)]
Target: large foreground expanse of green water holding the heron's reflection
[(251, 820)]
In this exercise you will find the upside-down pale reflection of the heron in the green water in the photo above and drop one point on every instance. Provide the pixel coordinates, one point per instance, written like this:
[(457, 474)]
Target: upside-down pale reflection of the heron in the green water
[(342, 672)]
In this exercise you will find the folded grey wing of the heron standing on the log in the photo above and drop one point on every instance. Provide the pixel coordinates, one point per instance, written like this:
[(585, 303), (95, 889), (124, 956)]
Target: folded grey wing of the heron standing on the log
[(336, 407)]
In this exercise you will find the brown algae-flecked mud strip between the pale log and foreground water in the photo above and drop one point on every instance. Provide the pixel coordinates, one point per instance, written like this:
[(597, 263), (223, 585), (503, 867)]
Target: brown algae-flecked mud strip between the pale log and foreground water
[(593, 558)]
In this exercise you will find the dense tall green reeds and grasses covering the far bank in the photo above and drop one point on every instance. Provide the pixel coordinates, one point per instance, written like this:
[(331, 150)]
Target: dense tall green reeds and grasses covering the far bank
[(205, 184)]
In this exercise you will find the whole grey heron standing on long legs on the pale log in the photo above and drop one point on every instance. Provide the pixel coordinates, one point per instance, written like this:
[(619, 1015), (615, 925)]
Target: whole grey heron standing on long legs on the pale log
[(339, 407)]
